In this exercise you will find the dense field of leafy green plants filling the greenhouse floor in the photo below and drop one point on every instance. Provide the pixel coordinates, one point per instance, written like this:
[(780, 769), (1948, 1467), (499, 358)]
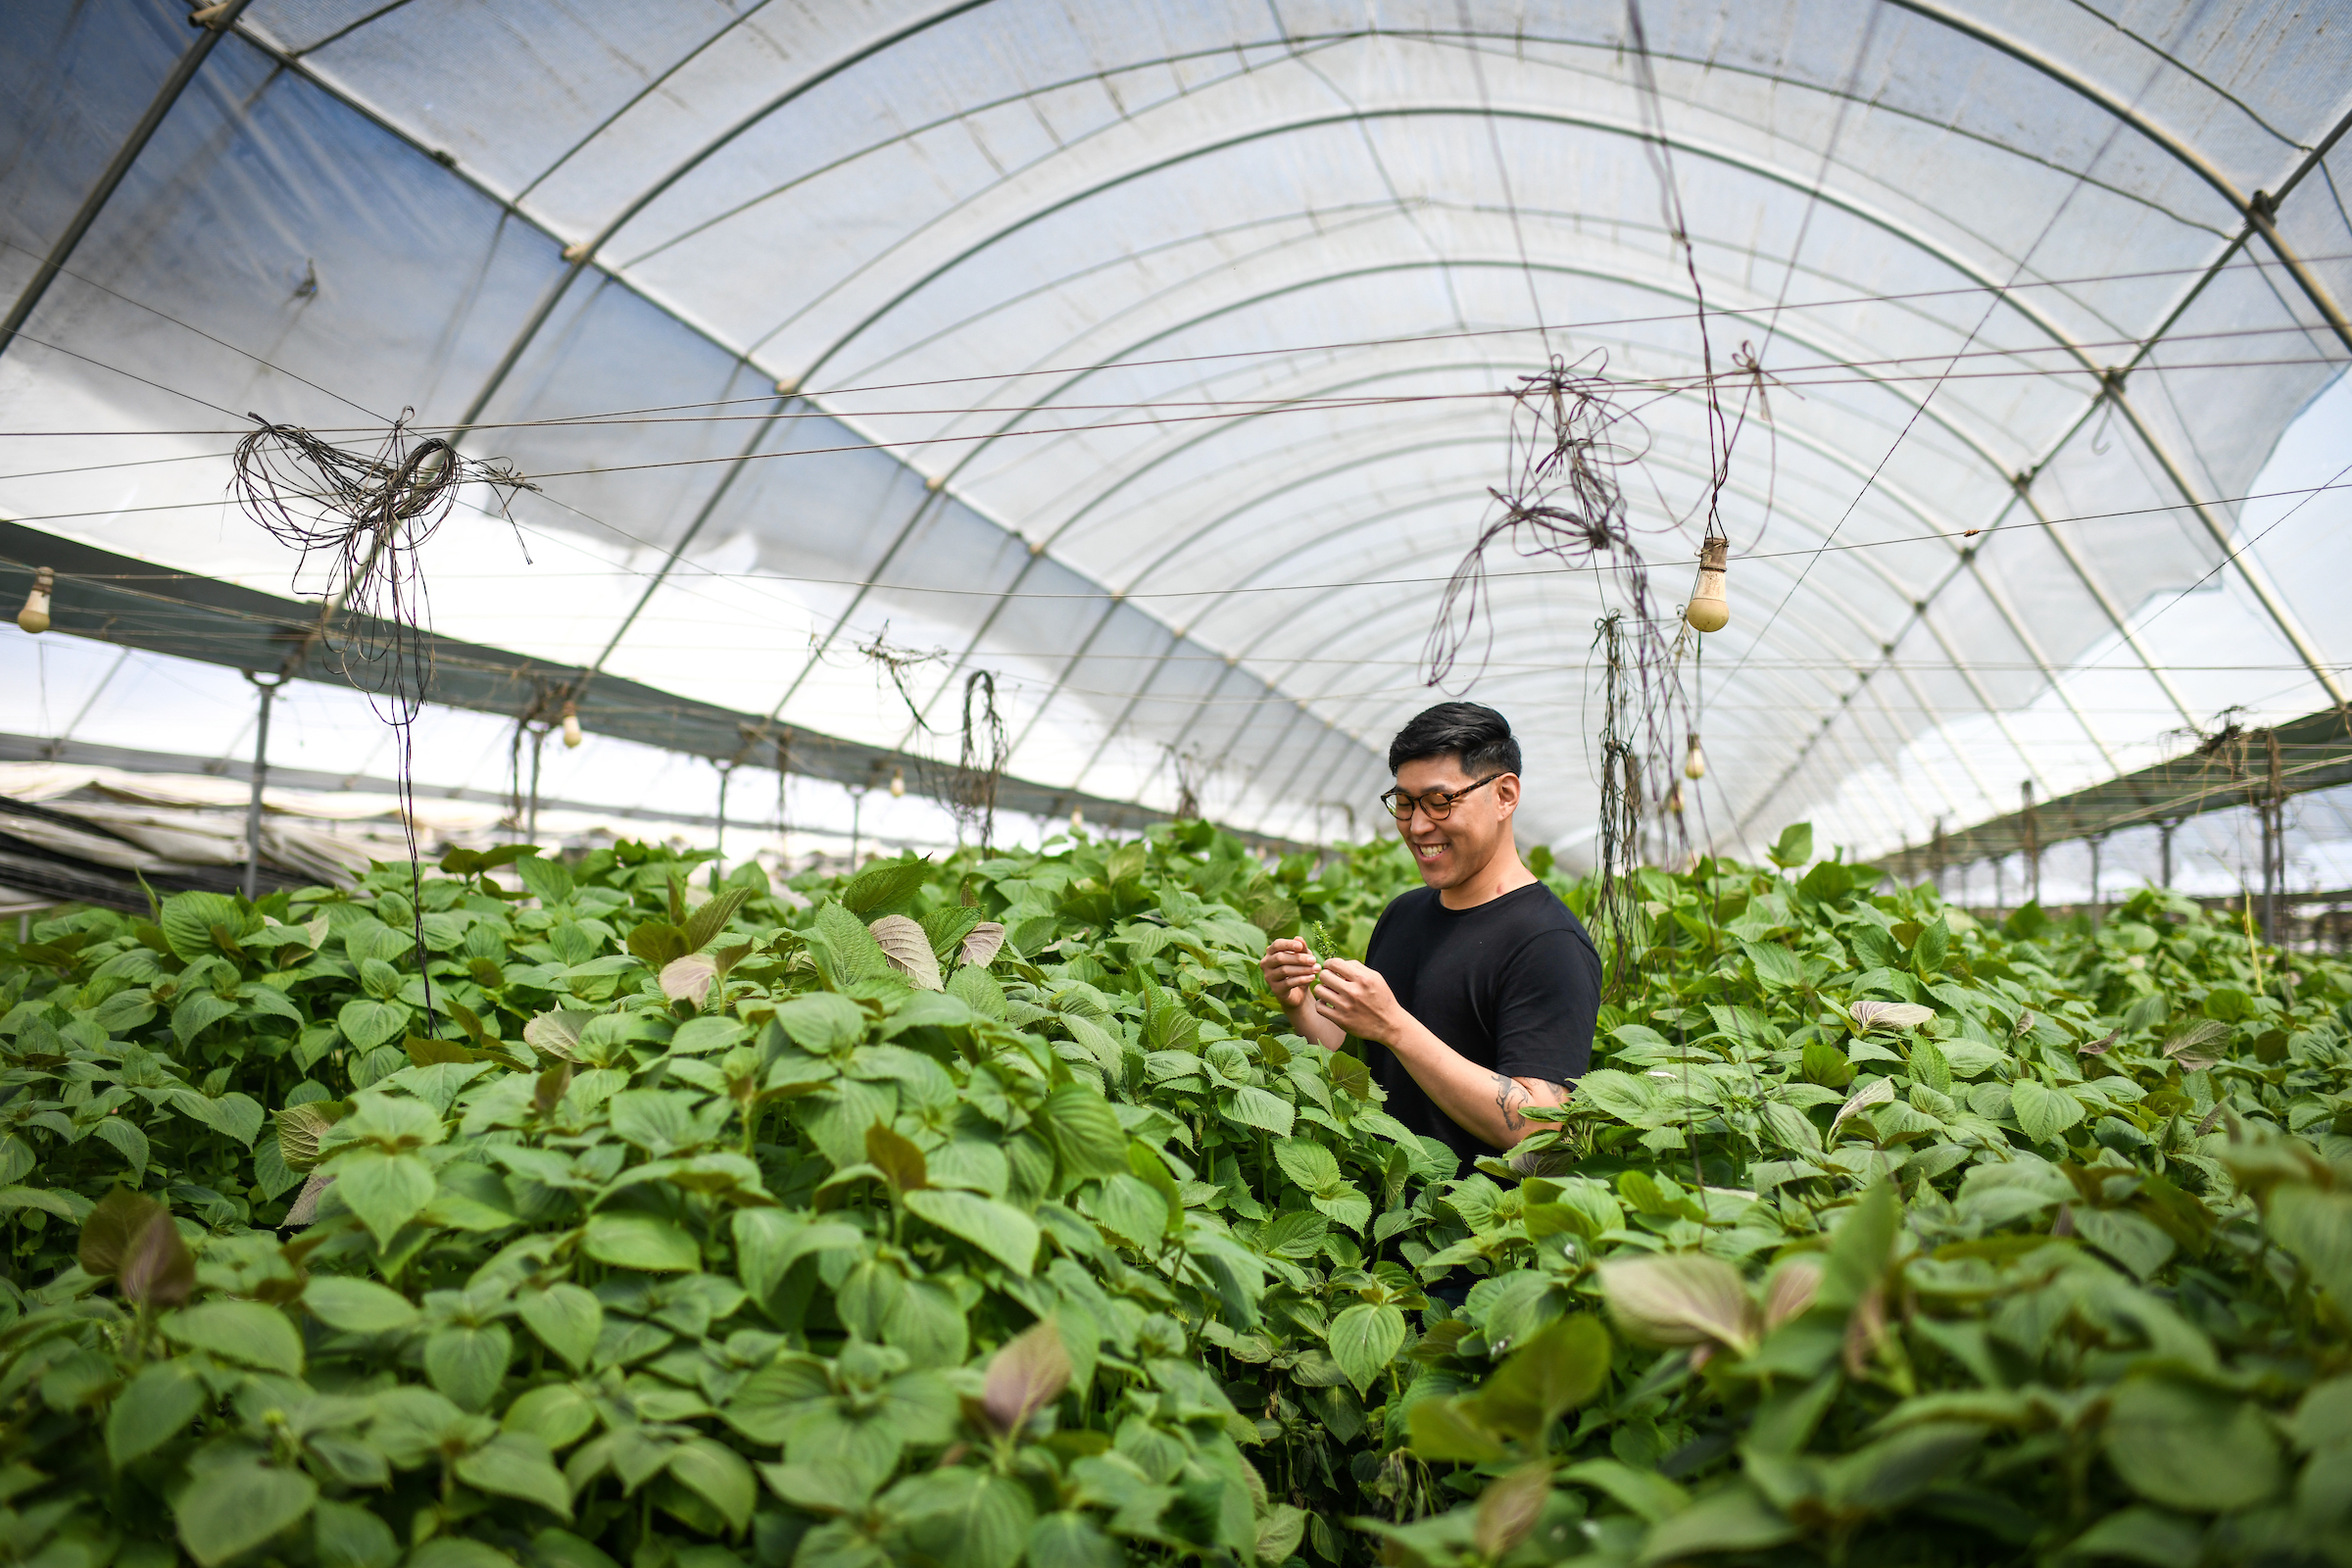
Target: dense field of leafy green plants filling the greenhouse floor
[(982, 1212)]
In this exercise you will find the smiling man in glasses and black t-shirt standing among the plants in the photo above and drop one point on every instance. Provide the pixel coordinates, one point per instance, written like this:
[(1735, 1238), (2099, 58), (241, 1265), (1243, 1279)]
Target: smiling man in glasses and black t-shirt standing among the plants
[(1481, 989)]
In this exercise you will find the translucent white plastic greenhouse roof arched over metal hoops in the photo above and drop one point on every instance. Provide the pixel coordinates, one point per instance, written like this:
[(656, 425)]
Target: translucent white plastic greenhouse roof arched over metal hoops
[(1147, 356)]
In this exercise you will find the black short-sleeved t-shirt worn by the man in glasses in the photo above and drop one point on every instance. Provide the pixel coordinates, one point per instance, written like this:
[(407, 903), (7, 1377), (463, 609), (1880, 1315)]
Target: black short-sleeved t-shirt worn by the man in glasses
[(1511, 984)]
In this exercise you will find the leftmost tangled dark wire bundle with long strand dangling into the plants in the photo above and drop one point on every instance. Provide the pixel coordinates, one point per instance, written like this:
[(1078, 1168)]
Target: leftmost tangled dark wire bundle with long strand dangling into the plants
[(366, 518)]
